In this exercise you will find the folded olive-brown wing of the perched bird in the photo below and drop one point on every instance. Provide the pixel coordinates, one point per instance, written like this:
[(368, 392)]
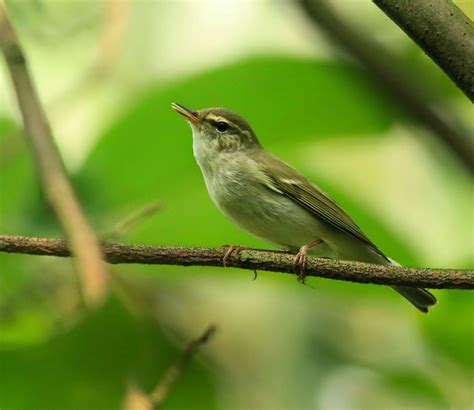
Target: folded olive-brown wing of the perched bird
[(280, 177)]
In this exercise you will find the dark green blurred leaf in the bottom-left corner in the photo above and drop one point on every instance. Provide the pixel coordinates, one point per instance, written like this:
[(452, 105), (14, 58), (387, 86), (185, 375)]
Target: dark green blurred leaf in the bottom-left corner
[(90, 365)]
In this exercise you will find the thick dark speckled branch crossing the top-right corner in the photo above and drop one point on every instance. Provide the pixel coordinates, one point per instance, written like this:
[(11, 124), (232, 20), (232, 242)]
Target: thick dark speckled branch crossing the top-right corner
[(444, 33)]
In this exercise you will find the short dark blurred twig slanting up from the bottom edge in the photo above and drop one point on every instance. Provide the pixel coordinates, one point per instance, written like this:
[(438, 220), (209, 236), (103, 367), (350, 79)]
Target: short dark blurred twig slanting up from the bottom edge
[(160, 393)]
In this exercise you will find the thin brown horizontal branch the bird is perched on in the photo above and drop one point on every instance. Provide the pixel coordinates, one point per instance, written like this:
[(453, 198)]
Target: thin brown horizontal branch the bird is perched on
[(116, 253)]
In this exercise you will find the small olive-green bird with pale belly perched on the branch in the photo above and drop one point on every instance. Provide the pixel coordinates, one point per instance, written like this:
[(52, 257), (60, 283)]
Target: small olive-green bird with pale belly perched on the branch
[(271, 200)]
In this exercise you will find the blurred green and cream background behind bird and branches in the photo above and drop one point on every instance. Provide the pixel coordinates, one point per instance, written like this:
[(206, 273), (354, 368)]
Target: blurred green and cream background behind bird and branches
[(107, 72)]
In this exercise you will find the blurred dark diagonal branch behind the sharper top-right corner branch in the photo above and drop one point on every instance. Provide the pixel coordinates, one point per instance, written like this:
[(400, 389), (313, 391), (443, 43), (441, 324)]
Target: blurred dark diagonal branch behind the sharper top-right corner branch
[(394, 80)]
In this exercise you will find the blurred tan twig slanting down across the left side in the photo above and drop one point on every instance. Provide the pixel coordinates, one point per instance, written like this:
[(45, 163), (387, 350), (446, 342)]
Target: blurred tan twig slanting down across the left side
[(51, 170)]
